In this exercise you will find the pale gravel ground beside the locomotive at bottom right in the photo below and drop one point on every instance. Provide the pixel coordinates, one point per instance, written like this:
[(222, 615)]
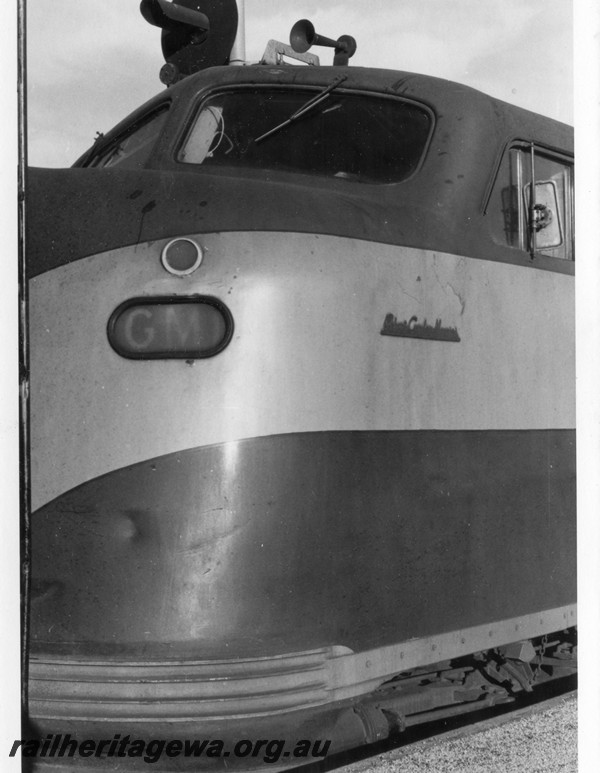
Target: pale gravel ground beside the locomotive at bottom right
[(463, 743)]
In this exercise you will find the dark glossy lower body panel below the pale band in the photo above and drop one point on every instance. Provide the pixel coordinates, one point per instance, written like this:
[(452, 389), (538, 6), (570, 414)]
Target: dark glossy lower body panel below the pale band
[(360, 539)]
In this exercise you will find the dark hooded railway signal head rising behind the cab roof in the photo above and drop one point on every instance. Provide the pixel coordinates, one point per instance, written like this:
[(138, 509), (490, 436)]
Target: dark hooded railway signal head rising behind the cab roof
[(195, 34)]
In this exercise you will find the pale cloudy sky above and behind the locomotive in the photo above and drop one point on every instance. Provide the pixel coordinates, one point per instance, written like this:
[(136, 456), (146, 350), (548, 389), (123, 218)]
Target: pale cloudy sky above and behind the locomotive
[(90, 63)]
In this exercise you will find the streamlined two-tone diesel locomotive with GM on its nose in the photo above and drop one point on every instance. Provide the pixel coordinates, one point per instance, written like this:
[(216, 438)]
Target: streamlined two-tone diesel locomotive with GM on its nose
[(301, 350)]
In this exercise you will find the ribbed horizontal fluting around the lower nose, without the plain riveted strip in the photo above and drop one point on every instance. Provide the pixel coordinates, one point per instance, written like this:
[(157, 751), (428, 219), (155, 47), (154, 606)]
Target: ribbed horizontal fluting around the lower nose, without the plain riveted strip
[(154, 691)]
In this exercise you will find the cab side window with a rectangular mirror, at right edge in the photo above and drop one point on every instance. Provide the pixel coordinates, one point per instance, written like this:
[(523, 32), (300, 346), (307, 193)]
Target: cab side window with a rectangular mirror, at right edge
[(511, 211)]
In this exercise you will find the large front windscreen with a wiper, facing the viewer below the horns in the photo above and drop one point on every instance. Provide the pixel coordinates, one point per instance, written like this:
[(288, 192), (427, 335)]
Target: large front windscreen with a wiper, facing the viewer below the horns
[(346, 136)]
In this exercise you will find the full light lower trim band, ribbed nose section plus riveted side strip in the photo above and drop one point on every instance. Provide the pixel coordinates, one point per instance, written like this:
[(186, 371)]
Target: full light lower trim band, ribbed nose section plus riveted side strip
[(228, 689)]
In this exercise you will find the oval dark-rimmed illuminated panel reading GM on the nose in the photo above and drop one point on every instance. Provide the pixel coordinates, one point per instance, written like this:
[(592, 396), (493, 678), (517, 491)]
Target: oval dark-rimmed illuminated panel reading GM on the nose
[(170, 328)]
